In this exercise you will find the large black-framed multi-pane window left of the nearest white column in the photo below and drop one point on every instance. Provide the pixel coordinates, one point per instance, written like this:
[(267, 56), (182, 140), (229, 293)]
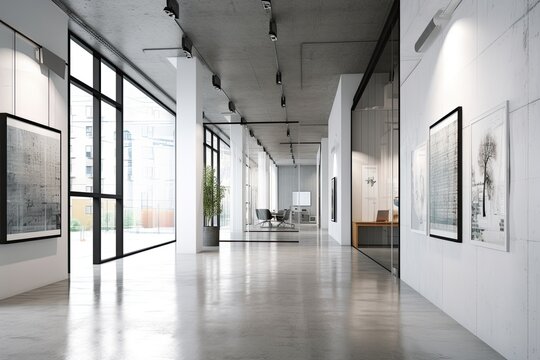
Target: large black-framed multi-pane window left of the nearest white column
[(122, 161)]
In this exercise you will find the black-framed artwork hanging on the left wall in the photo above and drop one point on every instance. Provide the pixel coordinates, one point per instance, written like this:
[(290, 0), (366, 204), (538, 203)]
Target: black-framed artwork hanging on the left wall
[(30, 180)]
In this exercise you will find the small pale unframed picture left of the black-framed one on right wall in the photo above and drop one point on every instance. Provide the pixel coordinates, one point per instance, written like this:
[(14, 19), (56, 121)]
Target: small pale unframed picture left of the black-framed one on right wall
[(419, 189)]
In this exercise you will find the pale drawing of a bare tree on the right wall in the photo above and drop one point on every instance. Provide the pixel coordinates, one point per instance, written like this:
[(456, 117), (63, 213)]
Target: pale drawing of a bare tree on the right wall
[(489, 179)]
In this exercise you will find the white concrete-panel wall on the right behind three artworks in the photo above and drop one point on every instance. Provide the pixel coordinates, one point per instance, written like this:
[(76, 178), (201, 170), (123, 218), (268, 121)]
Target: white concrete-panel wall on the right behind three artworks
[(487, 54)]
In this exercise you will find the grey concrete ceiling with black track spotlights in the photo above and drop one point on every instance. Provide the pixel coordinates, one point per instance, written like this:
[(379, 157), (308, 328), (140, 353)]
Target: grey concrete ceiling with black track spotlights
[(317, 41)]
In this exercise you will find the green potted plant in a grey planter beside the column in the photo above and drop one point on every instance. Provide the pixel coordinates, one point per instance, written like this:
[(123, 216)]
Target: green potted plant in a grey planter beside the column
[(213, 193)]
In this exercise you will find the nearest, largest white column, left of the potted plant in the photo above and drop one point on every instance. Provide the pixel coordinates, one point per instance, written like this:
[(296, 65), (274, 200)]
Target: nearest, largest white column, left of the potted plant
[(189, 156)]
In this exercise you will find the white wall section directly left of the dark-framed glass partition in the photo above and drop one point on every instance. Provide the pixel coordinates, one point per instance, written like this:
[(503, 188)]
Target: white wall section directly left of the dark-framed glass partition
[(339, 157)]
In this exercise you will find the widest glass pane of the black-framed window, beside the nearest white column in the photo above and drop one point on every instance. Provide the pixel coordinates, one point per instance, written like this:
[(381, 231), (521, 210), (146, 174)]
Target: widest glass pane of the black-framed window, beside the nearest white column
[(149, 171)]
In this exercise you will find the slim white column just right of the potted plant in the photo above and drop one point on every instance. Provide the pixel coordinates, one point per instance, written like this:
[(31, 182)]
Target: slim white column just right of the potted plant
[(238, 179)]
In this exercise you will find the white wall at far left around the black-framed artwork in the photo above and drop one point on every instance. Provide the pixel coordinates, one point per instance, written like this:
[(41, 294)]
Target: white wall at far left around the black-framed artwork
[(41, 96)]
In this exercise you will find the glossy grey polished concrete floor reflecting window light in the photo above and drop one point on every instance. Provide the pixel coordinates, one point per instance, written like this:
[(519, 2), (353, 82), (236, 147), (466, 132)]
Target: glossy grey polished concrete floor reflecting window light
[(307, 300)]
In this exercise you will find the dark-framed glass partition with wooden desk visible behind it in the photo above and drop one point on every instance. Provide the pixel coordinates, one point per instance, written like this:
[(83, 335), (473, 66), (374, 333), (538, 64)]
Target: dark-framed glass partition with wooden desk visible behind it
[(375, 162)]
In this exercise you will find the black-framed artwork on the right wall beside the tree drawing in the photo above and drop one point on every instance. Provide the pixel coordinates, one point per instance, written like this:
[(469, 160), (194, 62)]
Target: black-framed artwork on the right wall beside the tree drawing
[(445, 177)]
